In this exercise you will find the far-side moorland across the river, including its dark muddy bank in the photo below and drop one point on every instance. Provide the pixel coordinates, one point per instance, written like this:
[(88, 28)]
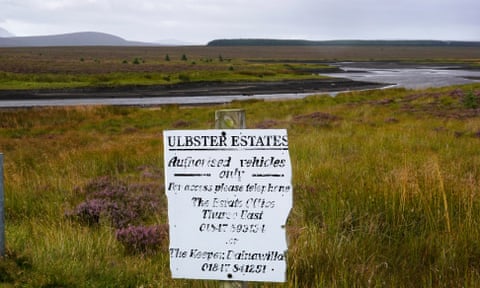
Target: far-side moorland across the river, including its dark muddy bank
[(196, 70)]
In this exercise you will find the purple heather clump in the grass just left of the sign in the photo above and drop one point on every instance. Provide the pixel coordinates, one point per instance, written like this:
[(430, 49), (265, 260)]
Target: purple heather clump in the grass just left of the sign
[(125, 207)]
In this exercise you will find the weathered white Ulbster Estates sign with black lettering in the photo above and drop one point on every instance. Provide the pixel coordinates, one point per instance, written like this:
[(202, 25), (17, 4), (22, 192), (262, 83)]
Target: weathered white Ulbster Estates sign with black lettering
[(229, 195)]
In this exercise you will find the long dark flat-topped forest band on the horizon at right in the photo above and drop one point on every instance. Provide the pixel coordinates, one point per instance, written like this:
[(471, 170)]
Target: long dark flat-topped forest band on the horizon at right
[(280, 42)]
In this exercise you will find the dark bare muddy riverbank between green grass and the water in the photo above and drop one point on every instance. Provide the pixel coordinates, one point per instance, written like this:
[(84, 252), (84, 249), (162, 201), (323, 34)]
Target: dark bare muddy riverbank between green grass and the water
[(246, 88)]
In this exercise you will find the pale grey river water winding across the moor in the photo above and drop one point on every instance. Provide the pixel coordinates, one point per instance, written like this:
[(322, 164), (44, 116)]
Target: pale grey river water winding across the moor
[(407, 77)]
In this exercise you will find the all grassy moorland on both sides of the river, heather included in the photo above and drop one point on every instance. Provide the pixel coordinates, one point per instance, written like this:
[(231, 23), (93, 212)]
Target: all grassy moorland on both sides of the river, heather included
[(385, 182)]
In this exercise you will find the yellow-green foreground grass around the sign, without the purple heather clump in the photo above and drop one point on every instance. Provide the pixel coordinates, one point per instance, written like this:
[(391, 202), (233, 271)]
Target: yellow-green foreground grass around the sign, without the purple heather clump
[(385, 189)]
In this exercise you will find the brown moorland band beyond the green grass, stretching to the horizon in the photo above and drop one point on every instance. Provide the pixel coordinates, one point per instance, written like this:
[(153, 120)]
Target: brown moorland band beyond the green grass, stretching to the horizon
[(152, 59)]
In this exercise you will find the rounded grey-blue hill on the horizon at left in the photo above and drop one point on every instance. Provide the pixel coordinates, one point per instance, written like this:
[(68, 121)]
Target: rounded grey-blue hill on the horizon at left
[(70, 39)]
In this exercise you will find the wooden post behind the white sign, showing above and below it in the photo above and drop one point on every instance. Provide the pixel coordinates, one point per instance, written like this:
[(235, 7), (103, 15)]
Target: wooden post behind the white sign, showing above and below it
[(231, 119)]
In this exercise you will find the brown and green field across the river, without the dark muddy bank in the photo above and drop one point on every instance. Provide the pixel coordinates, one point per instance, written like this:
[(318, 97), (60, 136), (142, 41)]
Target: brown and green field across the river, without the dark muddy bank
[(69, 67)]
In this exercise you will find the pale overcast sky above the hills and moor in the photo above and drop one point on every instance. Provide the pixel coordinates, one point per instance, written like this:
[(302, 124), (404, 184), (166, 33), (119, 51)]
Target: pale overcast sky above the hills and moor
[(199, 21)]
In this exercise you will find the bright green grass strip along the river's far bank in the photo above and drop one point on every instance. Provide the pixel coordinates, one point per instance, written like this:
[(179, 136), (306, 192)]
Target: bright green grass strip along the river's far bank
[(176, 73)]
